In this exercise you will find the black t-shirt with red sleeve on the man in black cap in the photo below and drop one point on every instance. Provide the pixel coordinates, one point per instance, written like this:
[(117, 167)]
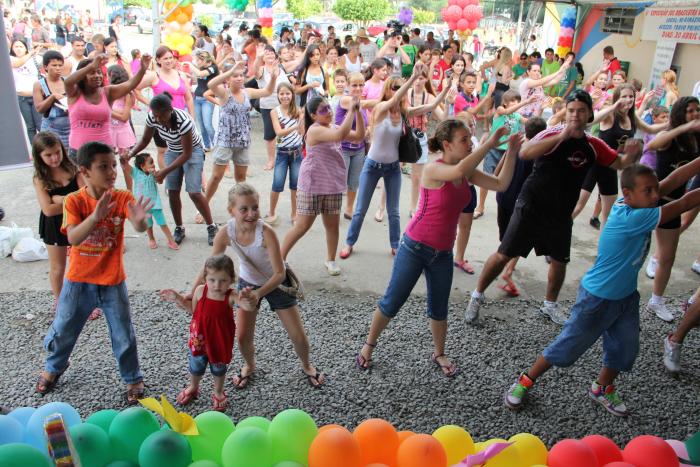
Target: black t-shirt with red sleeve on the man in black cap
[(555, 182)]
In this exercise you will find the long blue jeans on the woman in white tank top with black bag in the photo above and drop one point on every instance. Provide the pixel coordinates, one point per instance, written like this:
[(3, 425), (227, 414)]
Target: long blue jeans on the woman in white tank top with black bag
[(371, 173)]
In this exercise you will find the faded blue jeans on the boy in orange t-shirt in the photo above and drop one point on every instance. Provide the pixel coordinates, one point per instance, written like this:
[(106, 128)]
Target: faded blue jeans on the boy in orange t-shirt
[(76, 302)]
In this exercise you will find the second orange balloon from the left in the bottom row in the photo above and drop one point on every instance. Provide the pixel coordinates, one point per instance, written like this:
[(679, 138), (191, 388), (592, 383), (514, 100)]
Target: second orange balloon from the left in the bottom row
[(378, 441)]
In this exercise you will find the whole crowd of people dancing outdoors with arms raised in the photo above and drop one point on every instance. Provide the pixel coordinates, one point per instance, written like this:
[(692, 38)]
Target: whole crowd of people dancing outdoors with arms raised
[(335, 112)]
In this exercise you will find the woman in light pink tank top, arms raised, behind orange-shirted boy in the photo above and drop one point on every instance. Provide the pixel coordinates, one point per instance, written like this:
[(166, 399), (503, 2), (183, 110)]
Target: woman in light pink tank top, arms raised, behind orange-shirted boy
[(90, 103)]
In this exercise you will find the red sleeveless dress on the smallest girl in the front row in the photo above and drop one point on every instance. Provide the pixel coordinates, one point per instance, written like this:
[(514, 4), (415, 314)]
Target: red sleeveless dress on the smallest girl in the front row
[(212, 329)]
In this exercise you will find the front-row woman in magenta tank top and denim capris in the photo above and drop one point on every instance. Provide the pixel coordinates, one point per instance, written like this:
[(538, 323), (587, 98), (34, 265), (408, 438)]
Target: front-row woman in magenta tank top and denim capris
[(426, 246)]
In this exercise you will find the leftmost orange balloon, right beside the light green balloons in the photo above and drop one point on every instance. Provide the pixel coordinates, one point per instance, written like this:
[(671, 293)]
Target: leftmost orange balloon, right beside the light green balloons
[(336, 447)]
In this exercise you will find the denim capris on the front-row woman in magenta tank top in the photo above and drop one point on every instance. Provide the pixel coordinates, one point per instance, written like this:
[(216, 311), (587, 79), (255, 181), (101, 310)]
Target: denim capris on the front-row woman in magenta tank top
[(413, 259)]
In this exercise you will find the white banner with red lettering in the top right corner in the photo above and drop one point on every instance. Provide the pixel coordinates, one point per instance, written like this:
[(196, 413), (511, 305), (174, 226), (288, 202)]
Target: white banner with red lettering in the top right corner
[(672, 24)]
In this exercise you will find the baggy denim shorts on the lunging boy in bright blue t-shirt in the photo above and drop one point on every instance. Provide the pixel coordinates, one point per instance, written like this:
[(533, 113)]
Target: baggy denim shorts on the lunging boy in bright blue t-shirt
[(616, 320)]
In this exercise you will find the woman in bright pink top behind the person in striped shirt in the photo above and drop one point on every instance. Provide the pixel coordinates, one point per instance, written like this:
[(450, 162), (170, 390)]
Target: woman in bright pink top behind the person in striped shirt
[(169, 79)]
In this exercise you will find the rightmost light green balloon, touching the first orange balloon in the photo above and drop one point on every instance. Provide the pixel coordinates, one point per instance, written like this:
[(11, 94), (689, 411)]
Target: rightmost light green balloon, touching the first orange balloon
[(291, 433)]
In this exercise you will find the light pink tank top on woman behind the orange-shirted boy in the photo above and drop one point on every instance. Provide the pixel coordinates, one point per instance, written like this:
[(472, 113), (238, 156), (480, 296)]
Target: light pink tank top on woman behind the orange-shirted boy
[(90, 122)]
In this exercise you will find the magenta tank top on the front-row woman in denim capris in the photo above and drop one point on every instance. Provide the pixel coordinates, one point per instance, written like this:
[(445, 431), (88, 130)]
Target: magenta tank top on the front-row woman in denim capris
[(435, 222)]
